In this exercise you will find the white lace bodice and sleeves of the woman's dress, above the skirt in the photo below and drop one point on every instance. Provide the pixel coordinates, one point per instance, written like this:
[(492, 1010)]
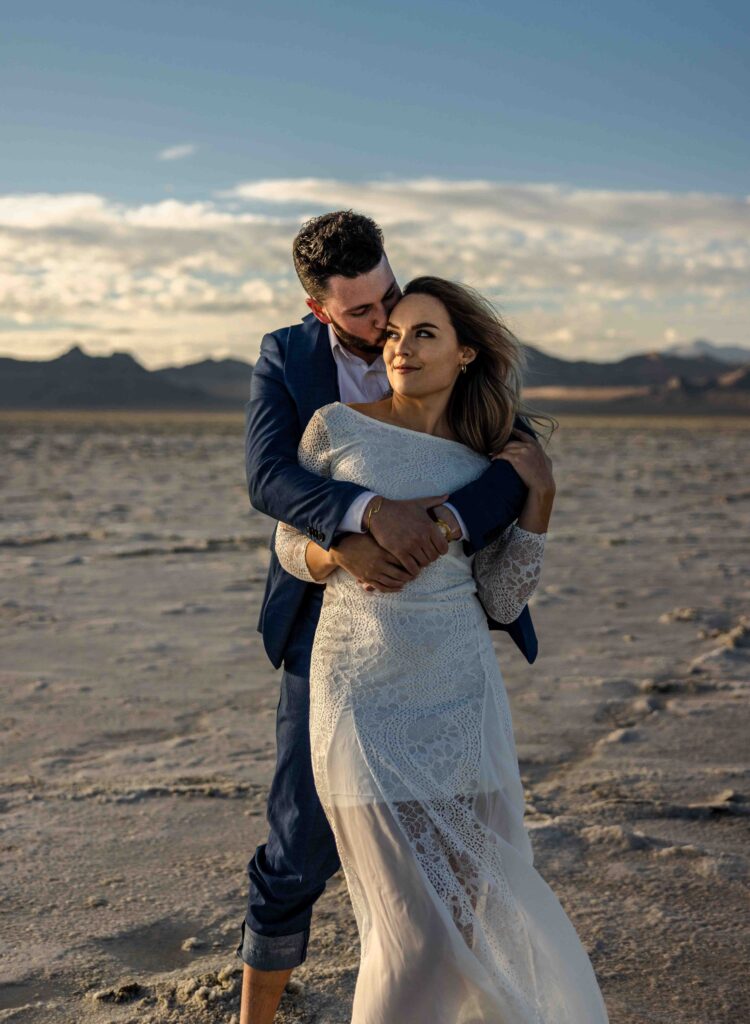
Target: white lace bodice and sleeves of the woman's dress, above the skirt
[(400, 463)]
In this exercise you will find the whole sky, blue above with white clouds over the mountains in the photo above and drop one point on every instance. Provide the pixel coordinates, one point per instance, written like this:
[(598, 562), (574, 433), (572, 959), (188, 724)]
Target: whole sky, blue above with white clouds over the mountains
[(586, 165)]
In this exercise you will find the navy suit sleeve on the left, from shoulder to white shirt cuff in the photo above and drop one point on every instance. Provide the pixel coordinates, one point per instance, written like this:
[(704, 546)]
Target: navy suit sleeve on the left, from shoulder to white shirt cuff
[(278, 486)]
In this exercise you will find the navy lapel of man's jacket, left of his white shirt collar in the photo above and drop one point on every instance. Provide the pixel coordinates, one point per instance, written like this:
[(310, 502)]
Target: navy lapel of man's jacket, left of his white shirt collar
[(311, 368)]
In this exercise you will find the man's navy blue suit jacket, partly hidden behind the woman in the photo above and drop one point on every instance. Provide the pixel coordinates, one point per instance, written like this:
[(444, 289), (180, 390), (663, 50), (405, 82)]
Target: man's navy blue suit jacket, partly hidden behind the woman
[(295, 376)]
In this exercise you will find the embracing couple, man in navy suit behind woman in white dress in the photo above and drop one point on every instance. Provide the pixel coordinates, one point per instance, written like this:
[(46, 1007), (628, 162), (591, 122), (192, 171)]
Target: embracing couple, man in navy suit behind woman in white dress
[(385, 435)]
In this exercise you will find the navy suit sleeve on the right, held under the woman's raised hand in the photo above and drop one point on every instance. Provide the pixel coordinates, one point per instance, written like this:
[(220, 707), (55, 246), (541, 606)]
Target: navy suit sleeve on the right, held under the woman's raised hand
[(490, 504)]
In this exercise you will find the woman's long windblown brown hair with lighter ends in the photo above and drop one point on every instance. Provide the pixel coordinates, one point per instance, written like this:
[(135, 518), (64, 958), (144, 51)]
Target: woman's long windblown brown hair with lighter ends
[(486, 400)]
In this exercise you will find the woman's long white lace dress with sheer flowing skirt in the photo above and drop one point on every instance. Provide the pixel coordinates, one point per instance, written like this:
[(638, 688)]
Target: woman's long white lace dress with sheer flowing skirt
[(415, 762)]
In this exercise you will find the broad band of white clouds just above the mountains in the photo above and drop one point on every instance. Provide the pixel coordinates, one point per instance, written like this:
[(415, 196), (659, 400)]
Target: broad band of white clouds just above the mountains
[(585, 273)]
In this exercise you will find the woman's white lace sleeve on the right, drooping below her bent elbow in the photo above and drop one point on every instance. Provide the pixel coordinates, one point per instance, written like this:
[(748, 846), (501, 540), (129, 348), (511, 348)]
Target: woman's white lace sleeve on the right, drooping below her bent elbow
[(508, 572)]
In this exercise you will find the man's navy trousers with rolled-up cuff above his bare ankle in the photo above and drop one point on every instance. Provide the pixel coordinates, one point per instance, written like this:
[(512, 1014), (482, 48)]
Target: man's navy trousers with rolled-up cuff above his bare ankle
[(289, 872)]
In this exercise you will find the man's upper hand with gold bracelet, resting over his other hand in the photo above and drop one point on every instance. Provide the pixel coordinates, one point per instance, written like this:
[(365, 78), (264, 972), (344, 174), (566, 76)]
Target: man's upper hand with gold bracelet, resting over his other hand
[(405, 530)]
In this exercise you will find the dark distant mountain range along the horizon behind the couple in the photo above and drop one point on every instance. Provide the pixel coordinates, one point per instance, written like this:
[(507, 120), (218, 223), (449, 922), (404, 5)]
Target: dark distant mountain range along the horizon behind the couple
[(76, 380)]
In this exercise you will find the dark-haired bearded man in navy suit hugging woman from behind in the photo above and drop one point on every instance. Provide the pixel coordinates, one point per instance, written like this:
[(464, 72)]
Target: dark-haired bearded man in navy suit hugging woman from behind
[(335, 355)]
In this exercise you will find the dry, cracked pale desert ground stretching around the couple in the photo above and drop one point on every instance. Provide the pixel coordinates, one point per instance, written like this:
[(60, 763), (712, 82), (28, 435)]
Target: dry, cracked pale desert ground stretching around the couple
[(139, 715)]
